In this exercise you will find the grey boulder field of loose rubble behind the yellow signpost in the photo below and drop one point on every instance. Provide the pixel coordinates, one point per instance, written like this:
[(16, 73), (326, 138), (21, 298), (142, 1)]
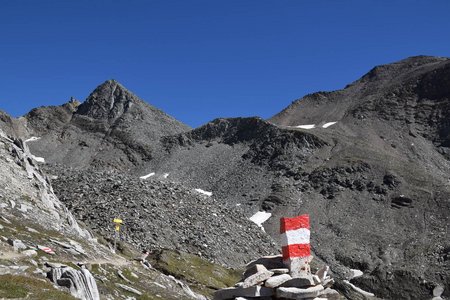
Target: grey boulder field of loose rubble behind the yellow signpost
[(163, 215)]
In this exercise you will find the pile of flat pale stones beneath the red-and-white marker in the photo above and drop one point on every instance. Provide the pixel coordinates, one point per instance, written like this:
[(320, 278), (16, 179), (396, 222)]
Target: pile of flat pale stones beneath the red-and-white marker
[(268, 278)]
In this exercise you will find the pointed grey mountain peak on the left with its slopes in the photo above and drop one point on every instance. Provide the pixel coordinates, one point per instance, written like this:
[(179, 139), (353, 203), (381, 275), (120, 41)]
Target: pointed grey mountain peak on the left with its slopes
[(113, 129)]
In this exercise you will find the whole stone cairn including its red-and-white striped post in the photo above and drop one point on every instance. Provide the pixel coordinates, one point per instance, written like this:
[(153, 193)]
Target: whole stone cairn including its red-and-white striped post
[(286, 276)]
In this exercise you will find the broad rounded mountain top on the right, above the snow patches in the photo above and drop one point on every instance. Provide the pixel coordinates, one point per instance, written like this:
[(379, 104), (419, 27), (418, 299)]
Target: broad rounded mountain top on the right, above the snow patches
[(412, 94)]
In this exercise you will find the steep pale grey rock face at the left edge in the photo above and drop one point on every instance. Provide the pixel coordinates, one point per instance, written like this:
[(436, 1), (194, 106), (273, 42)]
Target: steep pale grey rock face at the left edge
[(25, 185)]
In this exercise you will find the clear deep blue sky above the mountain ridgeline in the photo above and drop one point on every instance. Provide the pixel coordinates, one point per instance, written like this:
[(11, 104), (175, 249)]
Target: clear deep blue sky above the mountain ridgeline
[(198, 60)]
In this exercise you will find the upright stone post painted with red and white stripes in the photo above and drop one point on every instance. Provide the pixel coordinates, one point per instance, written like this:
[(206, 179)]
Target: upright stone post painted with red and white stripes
[(295, 236)]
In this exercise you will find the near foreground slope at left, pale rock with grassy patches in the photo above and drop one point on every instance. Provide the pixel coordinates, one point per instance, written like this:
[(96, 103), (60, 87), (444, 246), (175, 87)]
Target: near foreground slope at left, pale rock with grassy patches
[(46, 254)]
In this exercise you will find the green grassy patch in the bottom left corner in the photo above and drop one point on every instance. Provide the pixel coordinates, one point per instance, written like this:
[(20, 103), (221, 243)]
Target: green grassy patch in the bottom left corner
[(21, 287)]
